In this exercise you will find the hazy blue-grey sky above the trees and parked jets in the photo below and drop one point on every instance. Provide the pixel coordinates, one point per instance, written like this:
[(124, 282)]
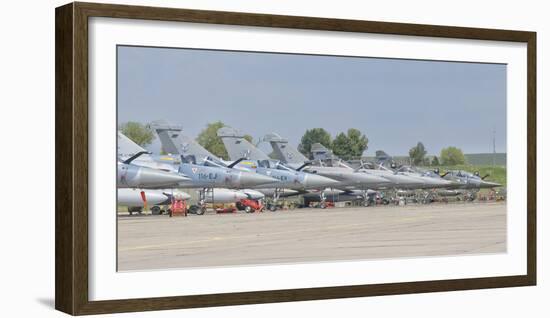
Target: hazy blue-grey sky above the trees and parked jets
[(394, 102)]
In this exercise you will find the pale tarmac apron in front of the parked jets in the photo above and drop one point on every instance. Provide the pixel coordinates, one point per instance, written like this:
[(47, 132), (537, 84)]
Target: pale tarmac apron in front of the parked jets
[(310, 235)]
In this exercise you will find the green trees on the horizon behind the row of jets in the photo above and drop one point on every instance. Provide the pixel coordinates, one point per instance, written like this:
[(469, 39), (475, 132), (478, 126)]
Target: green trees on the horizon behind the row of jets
[(348, 145)]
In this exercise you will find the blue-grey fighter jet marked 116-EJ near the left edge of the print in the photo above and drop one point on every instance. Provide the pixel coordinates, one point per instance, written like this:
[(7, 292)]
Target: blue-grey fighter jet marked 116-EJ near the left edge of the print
[(206, 176)]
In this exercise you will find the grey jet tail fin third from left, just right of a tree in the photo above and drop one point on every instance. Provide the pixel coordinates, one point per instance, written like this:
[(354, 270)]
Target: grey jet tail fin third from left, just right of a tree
[(238, 147)]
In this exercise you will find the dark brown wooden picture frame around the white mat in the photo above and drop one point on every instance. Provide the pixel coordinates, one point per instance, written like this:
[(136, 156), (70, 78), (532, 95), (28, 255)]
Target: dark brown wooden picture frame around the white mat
[(71, 221)]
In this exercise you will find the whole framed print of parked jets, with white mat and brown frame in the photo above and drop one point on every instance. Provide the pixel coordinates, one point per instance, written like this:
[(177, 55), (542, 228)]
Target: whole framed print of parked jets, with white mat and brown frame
[(210, 158)]
